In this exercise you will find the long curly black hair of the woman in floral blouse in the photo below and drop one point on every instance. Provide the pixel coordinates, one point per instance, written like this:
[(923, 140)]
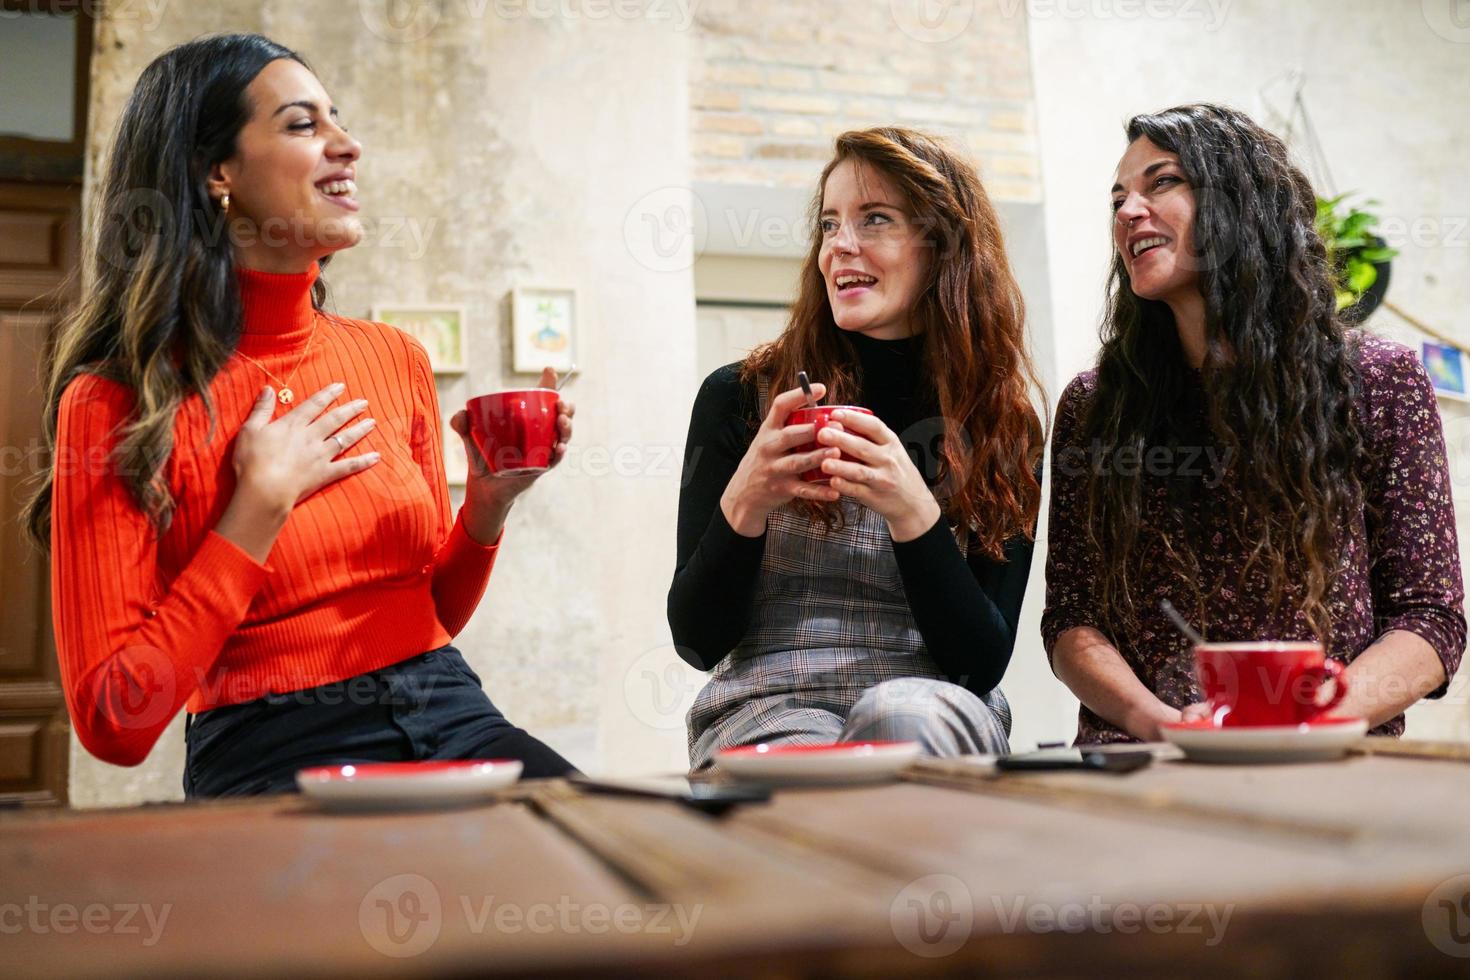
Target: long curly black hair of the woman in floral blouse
[(1280, 380)]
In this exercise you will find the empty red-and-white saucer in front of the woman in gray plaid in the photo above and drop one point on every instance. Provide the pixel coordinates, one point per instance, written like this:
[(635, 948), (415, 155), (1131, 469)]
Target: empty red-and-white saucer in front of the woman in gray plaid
[(818, 765)]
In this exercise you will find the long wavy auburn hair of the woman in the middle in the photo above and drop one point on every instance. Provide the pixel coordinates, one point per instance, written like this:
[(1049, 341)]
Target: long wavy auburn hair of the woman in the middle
[(974, 325)]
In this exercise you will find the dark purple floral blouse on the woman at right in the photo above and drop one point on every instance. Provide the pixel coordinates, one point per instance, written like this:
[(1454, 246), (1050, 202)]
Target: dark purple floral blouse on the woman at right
[(1409, 581)]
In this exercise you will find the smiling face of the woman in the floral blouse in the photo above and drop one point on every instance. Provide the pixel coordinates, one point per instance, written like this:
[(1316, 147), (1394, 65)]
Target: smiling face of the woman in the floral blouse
[(1153, 223)]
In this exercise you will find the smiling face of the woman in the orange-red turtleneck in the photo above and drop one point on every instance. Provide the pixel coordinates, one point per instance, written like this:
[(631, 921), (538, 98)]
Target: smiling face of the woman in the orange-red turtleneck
[(292, 183)]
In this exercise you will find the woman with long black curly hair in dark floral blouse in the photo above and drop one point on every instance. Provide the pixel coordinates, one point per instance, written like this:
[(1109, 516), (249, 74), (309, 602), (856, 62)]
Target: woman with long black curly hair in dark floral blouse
[(1238, 453)]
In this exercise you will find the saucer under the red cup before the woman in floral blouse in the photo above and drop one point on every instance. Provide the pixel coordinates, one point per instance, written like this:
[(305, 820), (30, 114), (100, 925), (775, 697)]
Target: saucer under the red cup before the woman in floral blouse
[(1318, 741)]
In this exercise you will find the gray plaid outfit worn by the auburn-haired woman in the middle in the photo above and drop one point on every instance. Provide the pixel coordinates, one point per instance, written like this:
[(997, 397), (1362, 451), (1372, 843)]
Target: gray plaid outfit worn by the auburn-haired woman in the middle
[(830, 624)]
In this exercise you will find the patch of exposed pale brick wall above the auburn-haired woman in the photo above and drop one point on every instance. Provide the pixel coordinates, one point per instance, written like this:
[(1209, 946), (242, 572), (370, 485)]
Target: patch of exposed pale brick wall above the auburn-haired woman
[(772, 83)]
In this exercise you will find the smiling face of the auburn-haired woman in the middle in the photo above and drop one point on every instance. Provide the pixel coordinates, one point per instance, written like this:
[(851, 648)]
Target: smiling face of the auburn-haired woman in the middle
[(872, 258)]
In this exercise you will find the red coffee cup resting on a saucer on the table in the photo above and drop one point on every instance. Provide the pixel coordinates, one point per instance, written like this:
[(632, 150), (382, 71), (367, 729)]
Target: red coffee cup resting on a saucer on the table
[(1268, 682)]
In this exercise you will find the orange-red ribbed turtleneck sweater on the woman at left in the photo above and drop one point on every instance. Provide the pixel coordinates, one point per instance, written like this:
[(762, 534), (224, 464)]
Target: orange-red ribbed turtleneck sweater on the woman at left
[(367, 572)]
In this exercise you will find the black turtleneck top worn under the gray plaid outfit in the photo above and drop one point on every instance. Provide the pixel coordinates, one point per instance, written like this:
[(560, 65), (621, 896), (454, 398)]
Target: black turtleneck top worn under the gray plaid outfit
[(967, 609)]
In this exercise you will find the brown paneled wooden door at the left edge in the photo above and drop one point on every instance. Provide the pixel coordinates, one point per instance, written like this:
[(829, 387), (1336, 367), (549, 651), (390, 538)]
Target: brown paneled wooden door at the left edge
[(39, 252)]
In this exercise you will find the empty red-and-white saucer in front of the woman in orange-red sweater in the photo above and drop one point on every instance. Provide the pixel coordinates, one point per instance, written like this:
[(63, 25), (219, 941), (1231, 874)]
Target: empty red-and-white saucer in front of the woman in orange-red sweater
[(406, 785)]
